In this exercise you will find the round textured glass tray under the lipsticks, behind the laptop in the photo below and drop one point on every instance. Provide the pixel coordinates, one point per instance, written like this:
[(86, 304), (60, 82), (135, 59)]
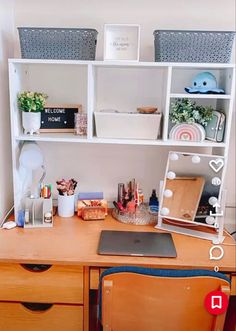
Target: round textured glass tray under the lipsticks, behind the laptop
[(141, 216)]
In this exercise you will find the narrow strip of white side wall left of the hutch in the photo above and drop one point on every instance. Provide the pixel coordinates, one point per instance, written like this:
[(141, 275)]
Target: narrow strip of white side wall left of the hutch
[(6, 51)]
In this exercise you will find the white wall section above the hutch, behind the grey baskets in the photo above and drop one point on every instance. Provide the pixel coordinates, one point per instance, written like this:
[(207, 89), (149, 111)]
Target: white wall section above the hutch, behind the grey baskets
[(151, 14)]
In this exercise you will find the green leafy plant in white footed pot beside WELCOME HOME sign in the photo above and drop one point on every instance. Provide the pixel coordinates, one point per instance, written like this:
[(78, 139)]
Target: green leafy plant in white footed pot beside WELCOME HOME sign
[(31, 104)]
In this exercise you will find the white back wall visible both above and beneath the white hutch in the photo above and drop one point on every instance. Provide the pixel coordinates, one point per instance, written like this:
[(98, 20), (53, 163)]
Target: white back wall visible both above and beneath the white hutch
[(151, 15)]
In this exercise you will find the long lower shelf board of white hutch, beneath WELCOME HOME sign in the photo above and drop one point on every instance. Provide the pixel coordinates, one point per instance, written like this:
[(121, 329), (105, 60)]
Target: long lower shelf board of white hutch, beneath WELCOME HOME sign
[(94, 140)]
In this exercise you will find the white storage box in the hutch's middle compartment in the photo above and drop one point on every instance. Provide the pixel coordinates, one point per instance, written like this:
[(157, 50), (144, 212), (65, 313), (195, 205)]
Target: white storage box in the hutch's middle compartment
[(114, 124)]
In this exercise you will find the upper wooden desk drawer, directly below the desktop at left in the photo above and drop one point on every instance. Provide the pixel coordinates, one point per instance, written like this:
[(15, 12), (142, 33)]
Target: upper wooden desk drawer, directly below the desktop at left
[(58, 284)]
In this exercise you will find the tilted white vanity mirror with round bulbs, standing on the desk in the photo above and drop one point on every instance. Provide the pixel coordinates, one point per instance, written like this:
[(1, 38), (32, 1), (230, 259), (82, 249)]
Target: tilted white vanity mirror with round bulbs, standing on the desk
[(191, 193)]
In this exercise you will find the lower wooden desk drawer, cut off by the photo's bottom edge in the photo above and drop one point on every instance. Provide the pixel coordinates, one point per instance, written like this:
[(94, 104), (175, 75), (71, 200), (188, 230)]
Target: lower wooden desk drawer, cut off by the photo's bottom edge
[(16, 317)]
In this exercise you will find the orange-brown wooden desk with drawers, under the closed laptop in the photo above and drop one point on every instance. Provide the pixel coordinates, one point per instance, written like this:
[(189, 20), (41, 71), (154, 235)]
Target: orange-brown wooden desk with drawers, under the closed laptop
[(70, 247)]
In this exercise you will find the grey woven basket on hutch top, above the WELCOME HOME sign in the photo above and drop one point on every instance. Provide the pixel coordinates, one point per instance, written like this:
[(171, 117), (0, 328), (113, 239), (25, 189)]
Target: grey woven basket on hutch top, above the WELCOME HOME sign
[(58, 43)]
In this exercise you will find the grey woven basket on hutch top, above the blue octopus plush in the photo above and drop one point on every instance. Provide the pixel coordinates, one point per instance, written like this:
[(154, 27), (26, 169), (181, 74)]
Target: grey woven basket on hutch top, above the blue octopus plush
[(193, 46)]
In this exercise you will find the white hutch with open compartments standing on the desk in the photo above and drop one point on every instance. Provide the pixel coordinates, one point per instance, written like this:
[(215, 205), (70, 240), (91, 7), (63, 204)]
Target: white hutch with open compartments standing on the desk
[(116, 85)]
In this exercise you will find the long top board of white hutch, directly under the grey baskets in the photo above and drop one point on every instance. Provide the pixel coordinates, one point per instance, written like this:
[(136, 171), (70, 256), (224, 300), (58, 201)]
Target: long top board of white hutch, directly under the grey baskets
[(124, 63)]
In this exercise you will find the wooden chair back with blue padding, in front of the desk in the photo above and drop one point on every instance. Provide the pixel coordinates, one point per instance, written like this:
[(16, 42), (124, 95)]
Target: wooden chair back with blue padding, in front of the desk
[(141, 299)]
